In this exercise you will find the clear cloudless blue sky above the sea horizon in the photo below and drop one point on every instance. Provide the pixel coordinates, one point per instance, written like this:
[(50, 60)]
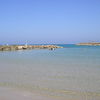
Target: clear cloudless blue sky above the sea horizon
[(49, 21)]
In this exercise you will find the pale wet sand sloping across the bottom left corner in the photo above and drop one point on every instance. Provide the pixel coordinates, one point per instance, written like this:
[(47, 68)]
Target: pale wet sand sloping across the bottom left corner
[(14, 94)]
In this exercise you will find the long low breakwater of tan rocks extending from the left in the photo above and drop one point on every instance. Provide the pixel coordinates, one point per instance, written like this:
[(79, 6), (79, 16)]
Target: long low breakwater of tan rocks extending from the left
[(25, 47)]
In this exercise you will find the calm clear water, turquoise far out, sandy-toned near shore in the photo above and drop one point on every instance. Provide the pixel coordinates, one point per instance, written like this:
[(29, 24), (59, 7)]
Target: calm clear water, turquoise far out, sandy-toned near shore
[(70, 72)]
